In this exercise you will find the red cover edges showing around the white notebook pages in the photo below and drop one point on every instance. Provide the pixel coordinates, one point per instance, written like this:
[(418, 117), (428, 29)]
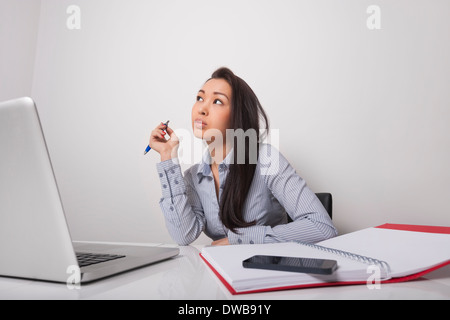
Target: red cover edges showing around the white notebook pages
[(403, 227)]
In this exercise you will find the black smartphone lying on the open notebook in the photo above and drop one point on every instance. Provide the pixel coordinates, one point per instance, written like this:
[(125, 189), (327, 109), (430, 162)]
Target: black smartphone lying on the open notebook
[(292, 264)]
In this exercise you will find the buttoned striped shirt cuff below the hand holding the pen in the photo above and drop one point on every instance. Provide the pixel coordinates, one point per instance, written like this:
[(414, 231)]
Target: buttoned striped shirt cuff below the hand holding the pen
[(171, 178)]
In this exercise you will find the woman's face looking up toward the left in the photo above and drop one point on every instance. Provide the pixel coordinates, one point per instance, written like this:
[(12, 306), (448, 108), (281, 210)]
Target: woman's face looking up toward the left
[(211, 112)]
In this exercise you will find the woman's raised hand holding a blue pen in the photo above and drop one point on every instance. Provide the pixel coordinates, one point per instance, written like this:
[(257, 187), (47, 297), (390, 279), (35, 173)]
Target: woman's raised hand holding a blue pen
[(166, 148)]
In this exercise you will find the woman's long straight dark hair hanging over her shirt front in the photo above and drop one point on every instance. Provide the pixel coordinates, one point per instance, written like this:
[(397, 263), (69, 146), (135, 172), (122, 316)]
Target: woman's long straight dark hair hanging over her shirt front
[(246, 113)]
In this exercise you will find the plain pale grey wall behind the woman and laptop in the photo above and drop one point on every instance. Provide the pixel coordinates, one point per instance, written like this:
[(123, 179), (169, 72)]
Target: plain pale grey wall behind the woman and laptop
[(363, 114)]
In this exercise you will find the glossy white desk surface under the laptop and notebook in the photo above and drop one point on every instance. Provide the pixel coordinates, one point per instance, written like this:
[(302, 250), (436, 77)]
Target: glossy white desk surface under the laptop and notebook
[(187, 277)]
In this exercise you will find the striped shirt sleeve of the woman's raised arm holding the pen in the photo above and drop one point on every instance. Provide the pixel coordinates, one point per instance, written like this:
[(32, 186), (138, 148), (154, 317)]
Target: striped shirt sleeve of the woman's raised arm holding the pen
[(180, 204)]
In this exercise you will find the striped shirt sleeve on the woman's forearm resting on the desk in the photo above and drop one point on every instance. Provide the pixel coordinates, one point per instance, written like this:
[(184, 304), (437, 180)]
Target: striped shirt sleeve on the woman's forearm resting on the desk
[(311, 222)]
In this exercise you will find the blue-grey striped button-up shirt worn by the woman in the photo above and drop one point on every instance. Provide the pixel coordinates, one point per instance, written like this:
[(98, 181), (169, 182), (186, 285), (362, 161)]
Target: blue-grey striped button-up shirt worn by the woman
[(190, 204)]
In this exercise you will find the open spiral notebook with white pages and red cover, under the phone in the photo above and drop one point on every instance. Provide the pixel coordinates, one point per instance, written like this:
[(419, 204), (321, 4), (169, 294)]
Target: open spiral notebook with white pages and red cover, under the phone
[(388, 253)]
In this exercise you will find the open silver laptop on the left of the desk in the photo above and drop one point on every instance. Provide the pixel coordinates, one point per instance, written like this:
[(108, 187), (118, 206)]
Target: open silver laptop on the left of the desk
[(35, 242)]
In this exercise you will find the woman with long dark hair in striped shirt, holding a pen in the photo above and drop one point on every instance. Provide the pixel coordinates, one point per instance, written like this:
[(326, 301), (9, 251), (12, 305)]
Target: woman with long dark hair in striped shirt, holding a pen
[(231, 196)]
